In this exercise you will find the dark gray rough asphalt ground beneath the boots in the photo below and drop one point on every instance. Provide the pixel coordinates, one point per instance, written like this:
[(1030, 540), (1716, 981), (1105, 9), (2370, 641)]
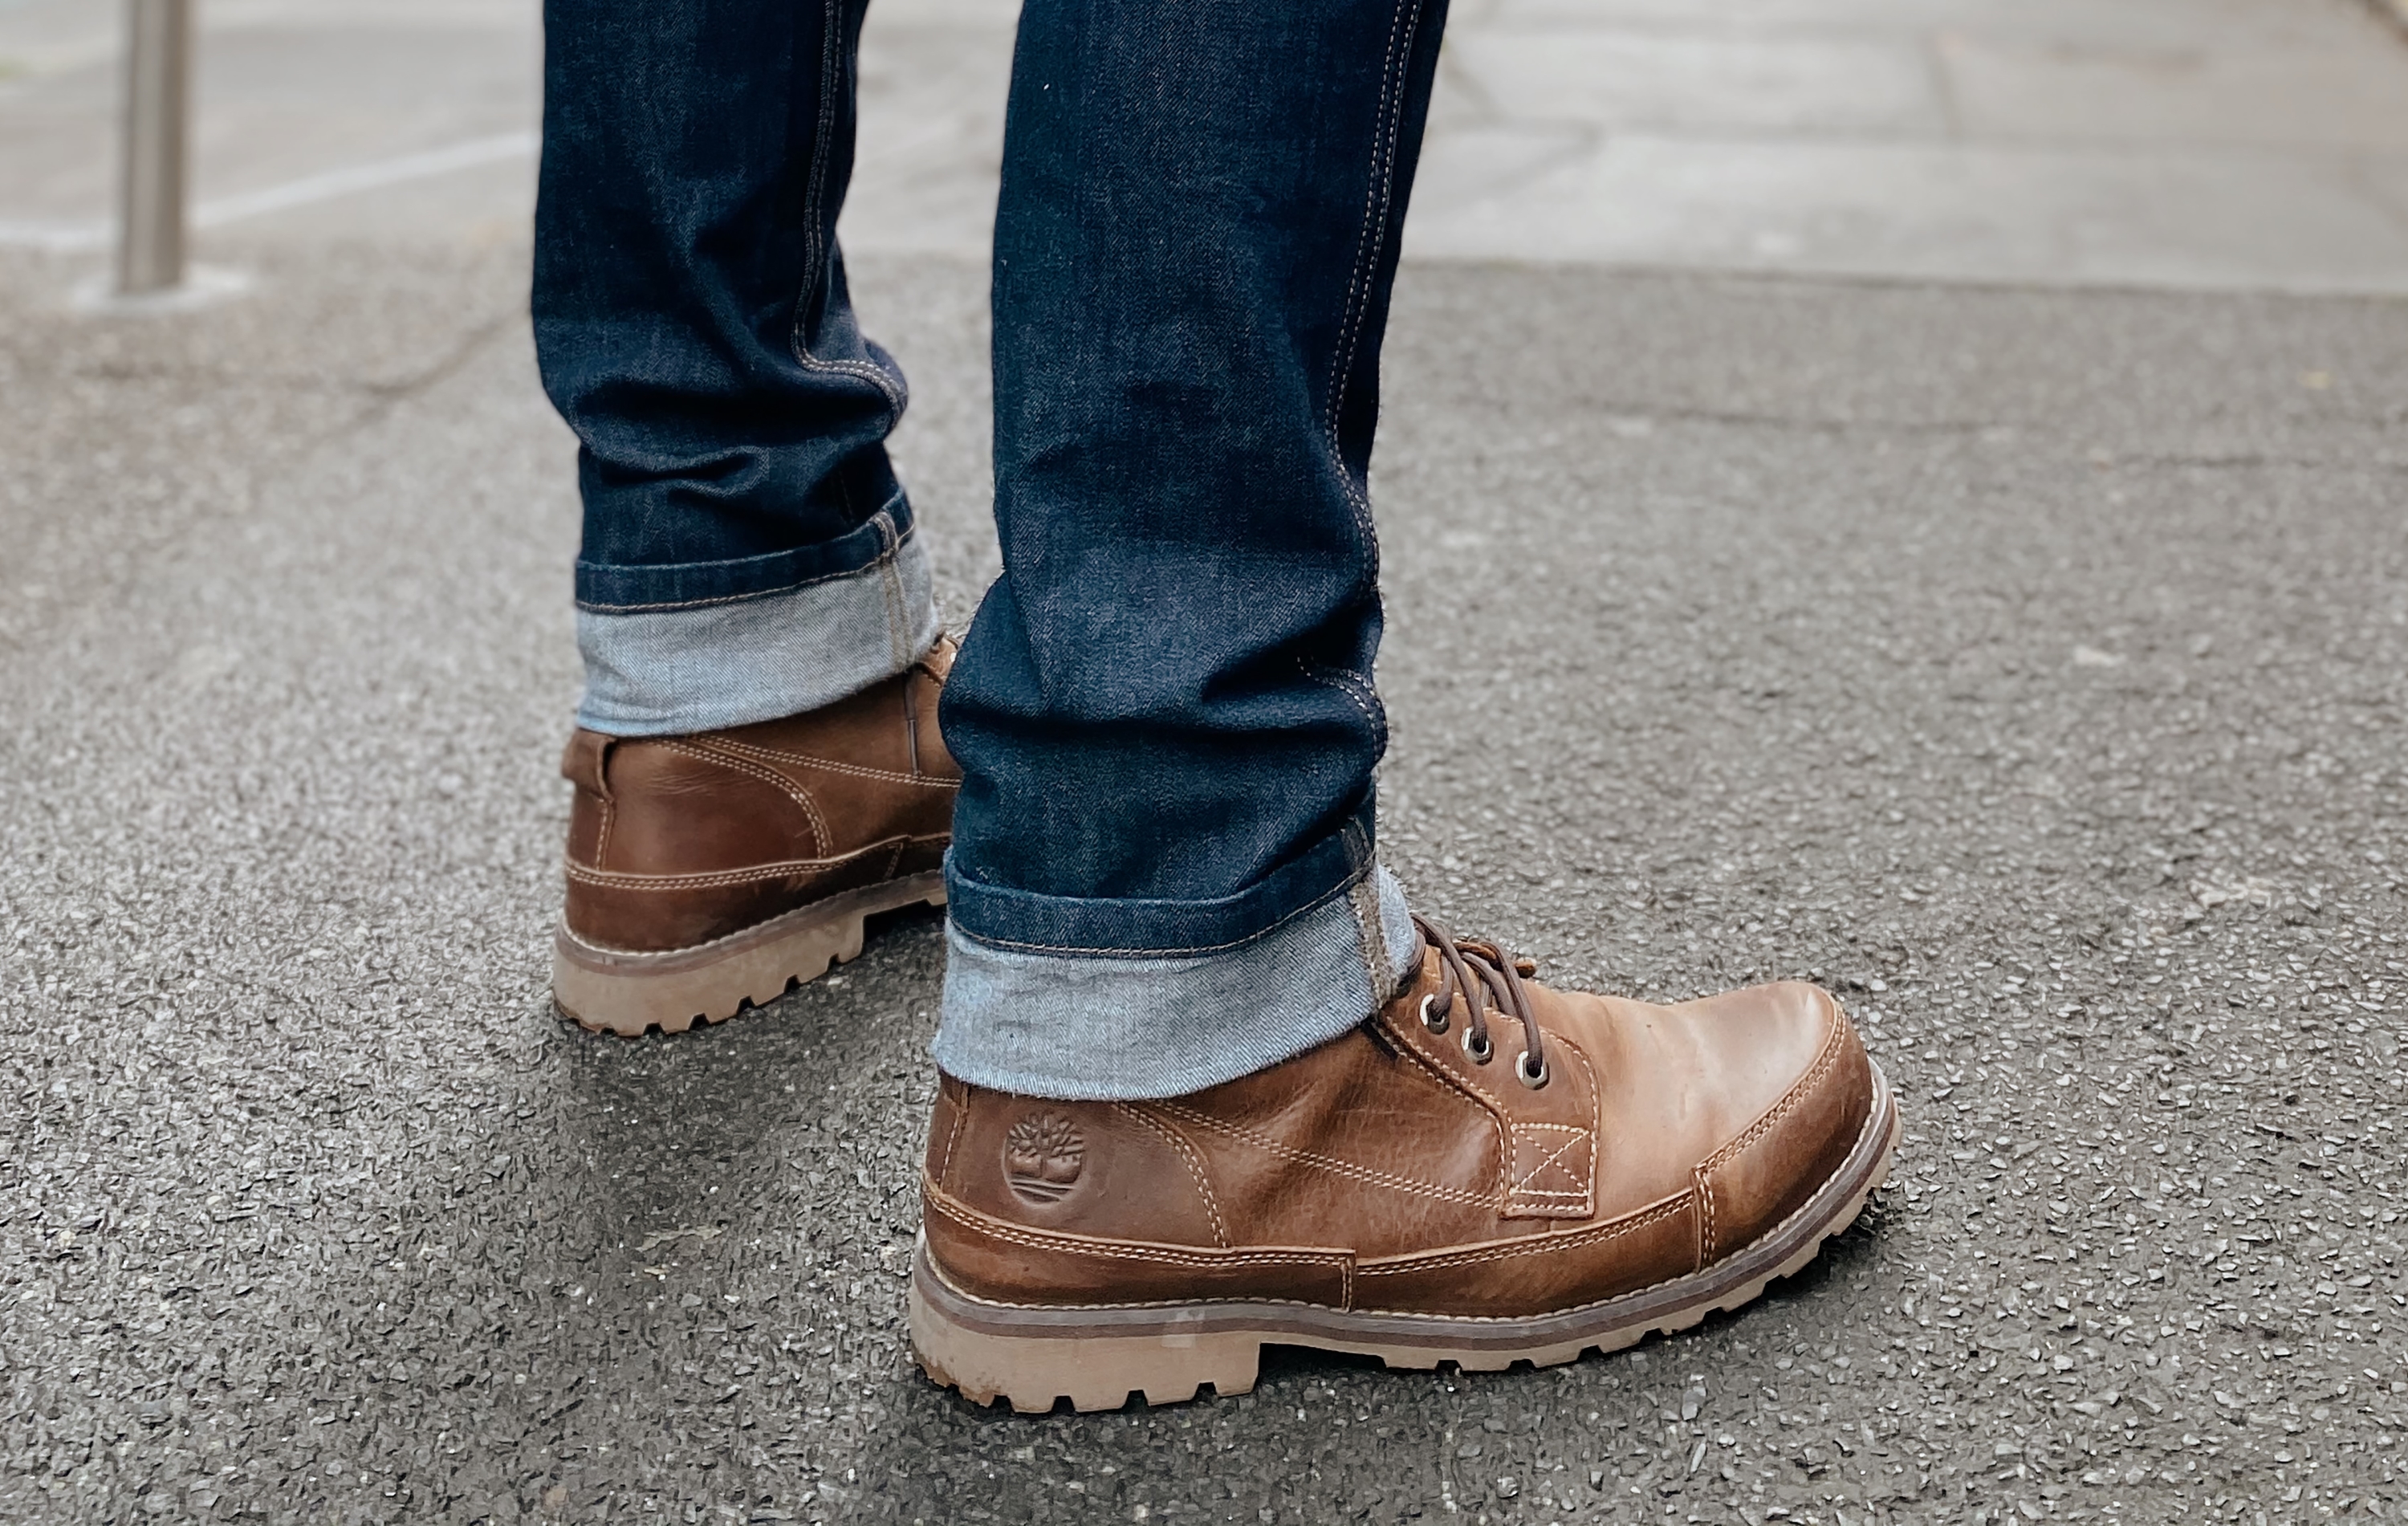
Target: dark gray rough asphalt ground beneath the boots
[(2031, 668)]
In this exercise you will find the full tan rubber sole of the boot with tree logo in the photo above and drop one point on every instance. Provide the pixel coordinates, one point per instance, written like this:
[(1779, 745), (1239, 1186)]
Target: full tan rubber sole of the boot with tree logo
[(1102, 1356)]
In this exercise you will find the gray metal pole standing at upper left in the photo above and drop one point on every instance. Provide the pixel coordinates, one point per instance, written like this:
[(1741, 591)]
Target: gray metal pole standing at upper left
[(158, 102)]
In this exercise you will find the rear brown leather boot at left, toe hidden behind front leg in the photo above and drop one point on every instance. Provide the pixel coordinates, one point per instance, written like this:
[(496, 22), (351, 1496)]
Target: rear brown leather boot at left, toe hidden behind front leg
[(716, 870)]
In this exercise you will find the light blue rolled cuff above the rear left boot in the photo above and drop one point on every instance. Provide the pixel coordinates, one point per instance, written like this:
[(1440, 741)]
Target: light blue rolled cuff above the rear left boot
[(663, 673)]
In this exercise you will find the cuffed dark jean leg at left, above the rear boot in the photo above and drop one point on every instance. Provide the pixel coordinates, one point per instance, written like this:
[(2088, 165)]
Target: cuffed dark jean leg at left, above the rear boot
[(748, 550)]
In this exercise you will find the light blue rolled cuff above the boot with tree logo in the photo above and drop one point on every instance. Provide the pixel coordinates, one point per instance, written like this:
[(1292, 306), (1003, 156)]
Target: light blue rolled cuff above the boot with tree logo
[(1147, 1027)]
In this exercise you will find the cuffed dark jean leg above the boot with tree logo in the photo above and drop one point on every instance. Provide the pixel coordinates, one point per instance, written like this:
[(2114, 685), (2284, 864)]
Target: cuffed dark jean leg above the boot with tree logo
[(1164, 863)]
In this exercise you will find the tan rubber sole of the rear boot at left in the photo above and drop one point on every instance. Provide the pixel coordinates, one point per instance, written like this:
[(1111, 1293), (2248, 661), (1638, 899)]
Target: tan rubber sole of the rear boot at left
[(635, 993)]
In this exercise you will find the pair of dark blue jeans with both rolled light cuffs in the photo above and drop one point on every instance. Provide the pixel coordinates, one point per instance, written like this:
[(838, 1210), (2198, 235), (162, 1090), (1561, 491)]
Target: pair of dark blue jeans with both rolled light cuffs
[(1164, 863)]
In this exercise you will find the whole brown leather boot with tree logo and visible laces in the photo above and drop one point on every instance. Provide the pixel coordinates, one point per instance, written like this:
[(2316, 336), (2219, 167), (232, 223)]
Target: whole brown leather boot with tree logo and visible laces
[(1482, 1173)]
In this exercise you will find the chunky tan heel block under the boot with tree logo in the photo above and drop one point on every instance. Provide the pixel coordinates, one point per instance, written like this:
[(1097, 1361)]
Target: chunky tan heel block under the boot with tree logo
[(1044, 1366)]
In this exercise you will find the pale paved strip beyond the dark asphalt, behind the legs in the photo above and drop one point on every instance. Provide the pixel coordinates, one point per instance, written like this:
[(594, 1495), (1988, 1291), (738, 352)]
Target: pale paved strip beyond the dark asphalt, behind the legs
[(2253, 146)]
